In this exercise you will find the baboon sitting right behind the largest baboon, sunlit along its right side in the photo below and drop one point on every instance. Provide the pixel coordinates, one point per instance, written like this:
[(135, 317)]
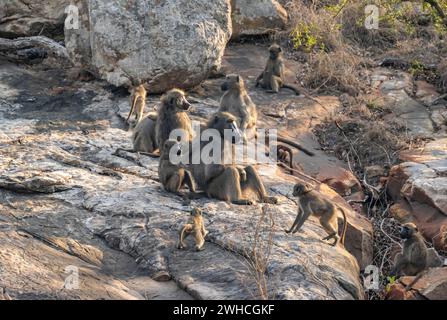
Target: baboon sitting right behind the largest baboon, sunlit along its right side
[(237, 102)]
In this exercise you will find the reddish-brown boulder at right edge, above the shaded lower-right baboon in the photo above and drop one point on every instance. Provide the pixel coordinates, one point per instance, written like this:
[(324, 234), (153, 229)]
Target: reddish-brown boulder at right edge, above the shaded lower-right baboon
[(419, 188)]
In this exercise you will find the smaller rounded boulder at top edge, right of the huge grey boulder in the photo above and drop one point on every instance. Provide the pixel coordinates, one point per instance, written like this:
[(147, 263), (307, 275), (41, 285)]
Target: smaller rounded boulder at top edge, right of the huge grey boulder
[(257, 17)]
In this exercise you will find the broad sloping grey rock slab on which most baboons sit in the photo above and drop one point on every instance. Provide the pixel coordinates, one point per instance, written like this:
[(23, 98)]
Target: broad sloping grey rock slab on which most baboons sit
[(97, 205)]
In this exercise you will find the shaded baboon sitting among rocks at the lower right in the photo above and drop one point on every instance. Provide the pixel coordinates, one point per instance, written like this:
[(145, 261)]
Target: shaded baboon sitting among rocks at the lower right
[(413, 258)]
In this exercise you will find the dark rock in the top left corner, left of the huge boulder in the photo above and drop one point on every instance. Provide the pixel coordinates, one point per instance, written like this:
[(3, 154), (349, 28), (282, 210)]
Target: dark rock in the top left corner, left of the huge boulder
[(30, 18)]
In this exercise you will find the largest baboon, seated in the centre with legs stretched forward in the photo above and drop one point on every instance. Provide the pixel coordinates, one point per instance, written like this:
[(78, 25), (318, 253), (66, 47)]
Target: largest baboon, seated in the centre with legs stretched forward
[(228, 182)]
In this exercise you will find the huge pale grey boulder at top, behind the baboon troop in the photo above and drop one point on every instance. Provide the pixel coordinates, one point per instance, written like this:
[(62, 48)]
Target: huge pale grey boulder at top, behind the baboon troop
[(166, 44)]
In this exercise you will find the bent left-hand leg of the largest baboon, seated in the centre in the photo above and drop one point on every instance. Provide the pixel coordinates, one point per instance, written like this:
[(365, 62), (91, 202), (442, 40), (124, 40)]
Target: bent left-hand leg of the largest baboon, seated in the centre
[(227, 187)]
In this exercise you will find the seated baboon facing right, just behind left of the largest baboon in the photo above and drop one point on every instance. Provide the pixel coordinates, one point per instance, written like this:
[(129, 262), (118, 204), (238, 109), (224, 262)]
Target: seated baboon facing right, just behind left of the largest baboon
[(172, 115)]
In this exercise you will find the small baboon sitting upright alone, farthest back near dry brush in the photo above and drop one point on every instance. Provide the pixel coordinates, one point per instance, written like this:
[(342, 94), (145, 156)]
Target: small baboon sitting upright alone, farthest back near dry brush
[(272, 78)]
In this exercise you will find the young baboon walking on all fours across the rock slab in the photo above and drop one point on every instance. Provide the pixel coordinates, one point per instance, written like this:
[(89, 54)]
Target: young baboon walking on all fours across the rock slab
[(310, 202)]
